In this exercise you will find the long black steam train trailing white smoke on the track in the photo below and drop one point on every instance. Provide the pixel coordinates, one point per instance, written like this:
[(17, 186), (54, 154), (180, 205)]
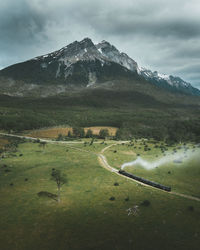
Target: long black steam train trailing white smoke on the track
[(140, 179)]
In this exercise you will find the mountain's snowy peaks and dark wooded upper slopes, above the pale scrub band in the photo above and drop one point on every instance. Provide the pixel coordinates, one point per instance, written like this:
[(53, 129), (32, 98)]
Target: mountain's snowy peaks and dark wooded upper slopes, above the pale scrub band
[(86, 63)]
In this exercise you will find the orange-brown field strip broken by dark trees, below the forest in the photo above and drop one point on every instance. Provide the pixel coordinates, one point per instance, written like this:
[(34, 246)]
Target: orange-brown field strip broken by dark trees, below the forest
[(53, 133)]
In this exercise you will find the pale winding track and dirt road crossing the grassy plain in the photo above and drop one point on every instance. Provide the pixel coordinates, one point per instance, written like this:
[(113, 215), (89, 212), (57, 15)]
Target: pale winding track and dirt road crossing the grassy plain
[(103, 161)]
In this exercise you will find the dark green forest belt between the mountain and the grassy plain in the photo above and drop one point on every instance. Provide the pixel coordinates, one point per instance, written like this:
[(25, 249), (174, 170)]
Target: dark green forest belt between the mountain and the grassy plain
[(160, 115)]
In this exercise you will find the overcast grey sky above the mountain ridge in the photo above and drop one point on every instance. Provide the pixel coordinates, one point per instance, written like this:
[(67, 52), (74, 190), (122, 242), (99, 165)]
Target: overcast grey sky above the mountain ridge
[(162, 35)]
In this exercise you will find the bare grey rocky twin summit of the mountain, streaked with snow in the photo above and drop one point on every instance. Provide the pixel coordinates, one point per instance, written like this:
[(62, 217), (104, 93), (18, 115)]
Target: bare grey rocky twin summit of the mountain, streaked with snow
[(86, 50)]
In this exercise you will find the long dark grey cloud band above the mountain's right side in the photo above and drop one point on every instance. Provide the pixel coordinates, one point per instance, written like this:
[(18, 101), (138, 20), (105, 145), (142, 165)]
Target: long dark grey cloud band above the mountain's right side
[(149, 25)]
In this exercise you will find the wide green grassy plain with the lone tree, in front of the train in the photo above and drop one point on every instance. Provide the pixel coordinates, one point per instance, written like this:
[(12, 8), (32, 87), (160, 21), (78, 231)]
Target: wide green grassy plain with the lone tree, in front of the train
[(86, 218)]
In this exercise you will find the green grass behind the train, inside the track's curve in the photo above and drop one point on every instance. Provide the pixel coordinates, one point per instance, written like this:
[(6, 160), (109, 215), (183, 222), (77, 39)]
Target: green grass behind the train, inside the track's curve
[(182, 177)]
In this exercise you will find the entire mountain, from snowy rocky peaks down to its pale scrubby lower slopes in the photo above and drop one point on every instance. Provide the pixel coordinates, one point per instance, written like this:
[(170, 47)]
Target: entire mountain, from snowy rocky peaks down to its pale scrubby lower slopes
[(79, 65)]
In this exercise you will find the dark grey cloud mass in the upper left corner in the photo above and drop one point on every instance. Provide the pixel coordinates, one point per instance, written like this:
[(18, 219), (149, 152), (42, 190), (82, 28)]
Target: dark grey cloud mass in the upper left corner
[(21, 29)]
